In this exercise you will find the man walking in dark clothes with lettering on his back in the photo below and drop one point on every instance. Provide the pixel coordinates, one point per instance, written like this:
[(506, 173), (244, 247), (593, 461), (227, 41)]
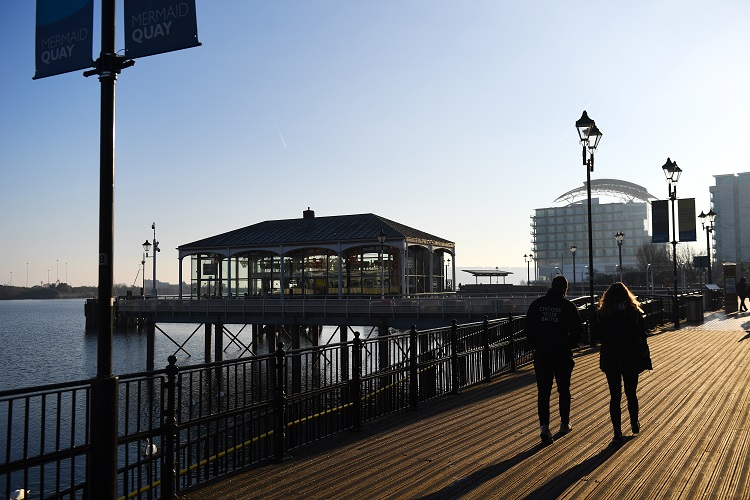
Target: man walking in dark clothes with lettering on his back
[(553, 327)]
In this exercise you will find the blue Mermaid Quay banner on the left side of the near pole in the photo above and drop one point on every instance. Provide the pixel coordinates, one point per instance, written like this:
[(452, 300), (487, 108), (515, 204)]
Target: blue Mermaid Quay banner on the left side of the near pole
[(64, 40)]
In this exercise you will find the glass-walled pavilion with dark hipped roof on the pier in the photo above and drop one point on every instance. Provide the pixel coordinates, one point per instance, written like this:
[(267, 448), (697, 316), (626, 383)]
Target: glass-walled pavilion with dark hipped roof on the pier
[(320, 256)]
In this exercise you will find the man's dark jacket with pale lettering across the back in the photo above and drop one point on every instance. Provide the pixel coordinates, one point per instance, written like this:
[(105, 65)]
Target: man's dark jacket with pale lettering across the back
[(553, 325)]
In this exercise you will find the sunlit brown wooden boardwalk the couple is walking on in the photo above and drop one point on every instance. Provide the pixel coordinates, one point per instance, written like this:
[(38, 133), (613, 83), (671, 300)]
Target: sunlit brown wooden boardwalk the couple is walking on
[(484, 442)]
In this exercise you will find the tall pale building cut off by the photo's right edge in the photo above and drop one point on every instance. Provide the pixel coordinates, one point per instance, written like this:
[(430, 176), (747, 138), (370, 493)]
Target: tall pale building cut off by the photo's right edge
[(730, 200)]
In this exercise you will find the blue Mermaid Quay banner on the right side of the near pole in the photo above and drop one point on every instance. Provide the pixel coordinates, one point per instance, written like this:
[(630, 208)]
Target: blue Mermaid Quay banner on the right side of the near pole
[(158, 26)]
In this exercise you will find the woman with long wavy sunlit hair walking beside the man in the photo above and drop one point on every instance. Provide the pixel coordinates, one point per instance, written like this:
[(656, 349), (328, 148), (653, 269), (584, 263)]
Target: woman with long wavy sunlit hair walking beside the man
[(624, 354)]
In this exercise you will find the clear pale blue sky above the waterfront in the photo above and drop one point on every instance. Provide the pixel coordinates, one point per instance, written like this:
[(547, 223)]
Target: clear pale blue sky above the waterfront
[(452, 117)]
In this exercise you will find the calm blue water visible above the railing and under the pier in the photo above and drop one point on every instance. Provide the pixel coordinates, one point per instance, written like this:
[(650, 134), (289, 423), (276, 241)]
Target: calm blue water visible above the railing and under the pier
[(45, 342)]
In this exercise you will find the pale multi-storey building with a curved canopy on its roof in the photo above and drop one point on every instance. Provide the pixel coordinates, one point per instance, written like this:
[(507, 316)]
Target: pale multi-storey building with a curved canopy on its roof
[(555, 230)]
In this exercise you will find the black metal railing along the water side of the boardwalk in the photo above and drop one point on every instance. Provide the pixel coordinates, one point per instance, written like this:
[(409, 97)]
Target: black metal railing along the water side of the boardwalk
[(179, 428)]
